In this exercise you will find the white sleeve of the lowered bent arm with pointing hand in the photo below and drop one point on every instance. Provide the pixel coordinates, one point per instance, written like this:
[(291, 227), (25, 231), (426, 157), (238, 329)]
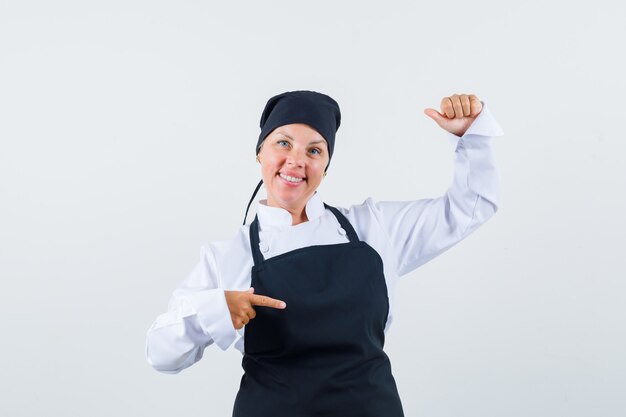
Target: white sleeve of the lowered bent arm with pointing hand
[(197, 317)]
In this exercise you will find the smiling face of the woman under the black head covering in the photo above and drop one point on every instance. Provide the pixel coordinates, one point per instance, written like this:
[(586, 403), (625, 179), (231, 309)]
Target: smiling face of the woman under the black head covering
[(293, 158)]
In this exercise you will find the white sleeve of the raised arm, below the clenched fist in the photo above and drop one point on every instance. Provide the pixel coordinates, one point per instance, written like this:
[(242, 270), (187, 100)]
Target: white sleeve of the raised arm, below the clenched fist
[(420, 230)]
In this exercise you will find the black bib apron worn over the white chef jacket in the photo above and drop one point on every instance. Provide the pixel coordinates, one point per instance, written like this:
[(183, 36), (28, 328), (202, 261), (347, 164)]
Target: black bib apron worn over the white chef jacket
[(323, 354)]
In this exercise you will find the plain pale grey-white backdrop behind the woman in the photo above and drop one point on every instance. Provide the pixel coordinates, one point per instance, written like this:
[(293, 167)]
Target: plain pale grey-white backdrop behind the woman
[(127, 134)]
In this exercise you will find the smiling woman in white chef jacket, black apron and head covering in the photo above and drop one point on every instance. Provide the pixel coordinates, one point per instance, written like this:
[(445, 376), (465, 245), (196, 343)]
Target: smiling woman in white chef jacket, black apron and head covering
[(311, 285)]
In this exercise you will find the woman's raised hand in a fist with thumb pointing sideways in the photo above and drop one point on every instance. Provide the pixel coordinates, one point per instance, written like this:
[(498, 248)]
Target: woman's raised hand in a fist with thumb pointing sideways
[(457, 113)]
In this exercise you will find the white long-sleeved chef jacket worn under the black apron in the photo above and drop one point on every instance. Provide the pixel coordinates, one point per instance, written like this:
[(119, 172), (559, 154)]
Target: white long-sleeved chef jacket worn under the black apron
[(406, 234)]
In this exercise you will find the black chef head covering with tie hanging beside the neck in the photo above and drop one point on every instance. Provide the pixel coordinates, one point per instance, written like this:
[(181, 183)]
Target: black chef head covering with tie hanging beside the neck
[(317, 110)]
